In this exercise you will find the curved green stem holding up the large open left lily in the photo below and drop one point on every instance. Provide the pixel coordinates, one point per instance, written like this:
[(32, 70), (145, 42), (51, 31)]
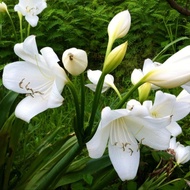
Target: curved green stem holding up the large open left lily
[(78, 123)]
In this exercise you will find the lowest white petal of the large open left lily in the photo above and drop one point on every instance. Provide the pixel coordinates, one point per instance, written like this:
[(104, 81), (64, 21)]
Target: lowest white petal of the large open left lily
[(30, 107)]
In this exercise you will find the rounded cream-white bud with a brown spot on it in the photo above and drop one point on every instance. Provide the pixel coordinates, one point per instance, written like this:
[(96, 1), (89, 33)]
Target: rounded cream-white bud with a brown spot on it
[(75, 61)]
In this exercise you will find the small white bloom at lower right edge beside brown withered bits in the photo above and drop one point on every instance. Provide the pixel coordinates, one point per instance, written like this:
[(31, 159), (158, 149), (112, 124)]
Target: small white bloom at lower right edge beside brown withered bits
[(181, 153)]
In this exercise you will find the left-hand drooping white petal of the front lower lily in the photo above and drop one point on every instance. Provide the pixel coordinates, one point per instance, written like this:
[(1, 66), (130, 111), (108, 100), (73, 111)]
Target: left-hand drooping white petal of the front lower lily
[(96, 146)]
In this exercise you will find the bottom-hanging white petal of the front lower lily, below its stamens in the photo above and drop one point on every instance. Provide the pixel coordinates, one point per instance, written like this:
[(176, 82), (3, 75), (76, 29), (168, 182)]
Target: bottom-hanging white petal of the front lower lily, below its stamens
[(125, 162)]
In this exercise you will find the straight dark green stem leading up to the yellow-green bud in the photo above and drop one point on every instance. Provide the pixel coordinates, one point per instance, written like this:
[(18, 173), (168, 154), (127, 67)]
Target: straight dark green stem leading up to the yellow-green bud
[(95, 104)]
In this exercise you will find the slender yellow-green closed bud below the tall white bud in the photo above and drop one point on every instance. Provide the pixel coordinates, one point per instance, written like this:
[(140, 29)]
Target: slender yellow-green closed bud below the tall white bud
[(114, 58)]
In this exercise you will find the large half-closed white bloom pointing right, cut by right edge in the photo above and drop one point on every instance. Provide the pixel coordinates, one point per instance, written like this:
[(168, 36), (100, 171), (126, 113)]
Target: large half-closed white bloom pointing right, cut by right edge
[(174, 72)]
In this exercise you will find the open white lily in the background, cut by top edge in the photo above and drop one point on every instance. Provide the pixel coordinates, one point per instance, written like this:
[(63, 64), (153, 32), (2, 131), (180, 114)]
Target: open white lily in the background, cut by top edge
[(30, 9)]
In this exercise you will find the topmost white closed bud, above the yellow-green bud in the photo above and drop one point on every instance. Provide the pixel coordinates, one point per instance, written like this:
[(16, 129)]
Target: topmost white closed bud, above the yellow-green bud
[(119, 25)]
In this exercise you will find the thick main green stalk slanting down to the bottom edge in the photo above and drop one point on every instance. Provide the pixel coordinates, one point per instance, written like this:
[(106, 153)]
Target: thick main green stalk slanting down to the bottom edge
[(60, 166)]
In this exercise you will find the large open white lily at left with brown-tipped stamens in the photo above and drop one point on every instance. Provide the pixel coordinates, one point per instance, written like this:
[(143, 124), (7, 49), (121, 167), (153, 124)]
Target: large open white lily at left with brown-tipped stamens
[(39, 77)]
